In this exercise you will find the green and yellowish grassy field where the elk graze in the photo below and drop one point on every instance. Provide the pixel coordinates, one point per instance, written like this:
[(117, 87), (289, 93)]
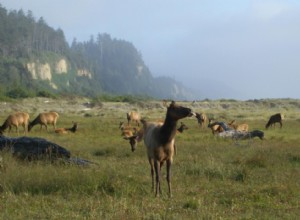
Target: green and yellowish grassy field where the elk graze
[(212, 178)]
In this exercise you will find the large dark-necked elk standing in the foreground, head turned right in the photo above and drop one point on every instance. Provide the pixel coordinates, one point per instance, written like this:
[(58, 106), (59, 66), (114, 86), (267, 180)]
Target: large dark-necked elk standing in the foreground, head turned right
[(159, 140)]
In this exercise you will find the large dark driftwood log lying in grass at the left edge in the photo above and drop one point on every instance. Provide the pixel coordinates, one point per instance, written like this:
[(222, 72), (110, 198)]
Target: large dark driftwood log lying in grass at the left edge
[(33, 148)]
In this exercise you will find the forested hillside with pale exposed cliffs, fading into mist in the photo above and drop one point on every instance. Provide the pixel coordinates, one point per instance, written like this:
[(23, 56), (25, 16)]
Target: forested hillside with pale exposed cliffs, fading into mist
[(36, 59)]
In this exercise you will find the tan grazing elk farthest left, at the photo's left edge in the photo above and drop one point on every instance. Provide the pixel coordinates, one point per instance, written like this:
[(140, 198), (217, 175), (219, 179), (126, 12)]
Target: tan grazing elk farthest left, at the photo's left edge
[(17, 119)]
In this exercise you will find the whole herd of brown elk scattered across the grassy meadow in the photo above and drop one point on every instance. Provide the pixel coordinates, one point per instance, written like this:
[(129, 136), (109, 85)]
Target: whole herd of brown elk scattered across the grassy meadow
[(158, 136)]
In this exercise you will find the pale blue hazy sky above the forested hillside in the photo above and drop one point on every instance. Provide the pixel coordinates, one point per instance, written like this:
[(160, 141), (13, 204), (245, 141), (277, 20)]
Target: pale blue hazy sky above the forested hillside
[(222, 49)]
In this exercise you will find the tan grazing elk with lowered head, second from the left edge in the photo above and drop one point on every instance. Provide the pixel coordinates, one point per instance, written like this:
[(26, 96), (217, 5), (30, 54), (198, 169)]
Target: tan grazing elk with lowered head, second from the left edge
[(44, 119)]
